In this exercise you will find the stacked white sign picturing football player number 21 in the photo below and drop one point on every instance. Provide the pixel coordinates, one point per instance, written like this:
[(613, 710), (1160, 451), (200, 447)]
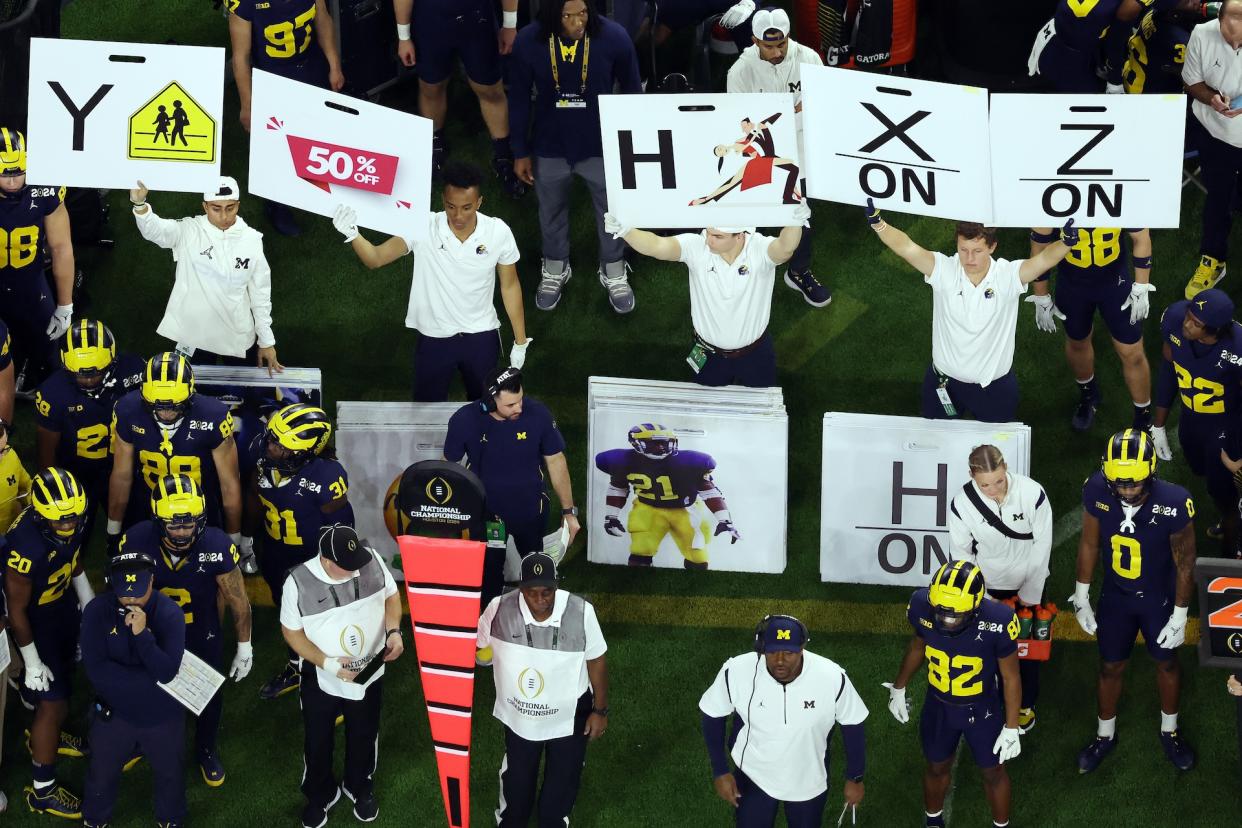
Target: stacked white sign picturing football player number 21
[(745, 433)]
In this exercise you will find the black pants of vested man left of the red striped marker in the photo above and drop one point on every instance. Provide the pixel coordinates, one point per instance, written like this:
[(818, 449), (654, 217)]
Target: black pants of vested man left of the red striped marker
[(320, 713)]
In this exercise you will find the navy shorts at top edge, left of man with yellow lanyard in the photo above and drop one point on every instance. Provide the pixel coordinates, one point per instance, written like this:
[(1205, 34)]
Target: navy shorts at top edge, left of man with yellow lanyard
[(468, 32)]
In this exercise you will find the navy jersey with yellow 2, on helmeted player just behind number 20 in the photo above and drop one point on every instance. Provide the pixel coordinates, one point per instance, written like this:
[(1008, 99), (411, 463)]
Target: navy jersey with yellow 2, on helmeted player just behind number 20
[(84, 421)]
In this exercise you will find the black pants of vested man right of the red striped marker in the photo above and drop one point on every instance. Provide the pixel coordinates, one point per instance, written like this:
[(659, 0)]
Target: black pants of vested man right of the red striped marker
[(563, 773)]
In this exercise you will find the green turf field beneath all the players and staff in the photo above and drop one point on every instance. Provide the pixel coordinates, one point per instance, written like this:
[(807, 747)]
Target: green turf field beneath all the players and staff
[(669, 632)]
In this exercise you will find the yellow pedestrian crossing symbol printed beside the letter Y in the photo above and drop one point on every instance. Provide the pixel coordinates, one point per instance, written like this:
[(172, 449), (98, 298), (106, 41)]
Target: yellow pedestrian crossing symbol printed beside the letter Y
[(172, 127)]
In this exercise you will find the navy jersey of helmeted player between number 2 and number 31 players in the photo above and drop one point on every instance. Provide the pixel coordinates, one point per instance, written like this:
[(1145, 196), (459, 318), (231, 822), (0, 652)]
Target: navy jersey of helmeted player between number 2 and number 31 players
[(188, 451)]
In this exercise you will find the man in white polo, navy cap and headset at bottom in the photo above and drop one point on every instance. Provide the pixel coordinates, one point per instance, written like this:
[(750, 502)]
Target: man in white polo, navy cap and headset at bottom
[(786, 703)]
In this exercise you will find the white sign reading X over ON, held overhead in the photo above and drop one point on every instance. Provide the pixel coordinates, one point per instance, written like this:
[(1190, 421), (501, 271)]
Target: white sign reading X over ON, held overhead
[(911, 146)]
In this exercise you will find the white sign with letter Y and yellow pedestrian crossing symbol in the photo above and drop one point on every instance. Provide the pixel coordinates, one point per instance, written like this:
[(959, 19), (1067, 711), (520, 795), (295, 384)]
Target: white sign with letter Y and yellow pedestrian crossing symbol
[(106, 115)]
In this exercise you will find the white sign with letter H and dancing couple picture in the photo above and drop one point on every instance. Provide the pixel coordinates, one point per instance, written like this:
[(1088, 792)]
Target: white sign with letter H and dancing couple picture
[(701, 161)]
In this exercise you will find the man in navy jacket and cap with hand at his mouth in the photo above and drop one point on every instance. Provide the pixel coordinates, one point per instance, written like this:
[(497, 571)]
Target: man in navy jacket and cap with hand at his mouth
[(134, 639)]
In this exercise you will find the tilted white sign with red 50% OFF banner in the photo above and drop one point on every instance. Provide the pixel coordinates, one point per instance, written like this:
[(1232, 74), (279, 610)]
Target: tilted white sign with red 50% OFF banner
[(319, 150)]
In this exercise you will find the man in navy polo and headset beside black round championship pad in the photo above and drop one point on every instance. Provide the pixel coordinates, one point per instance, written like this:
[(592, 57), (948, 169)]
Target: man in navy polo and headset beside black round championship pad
[(506, 439)]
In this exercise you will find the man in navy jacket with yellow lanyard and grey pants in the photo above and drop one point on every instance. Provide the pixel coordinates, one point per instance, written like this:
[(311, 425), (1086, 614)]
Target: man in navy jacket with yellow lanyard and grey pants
[(557, 136)]
